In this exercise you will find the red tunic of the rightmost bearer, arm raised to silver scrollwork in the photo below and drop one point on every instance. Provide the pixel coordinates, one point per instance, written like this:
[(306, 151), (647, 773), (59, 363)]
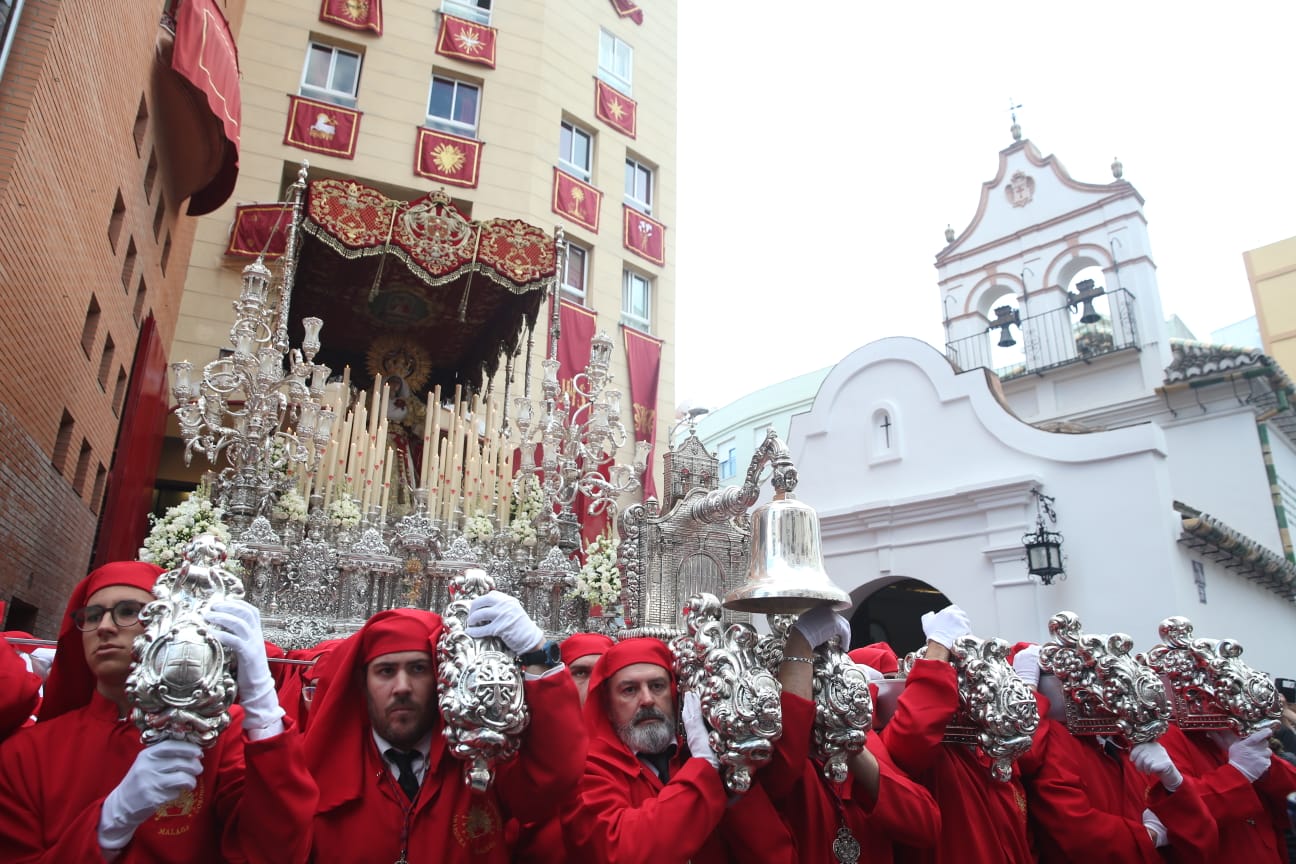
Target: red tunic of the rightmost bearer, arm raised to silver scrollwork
[(1253, 817)]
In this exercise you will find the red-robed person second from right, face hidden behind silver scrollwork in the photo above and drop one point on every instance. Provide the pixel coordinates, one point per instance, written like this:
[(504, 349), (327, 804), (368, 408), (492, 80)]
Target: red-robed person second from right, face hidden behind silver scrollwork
[(1088, 800)]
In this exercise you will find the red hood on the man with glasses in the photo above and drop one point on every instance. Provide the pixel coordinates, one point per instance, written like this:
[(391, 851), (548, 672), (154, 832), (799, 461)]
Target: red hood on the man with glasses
[(71, 682)]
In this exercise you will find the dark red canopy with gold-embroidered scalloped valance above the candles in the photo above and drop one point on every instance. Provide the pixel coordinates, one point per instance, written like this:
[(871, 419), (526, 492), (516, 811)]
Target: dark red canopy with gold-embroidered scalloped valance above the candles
[(462, 290)]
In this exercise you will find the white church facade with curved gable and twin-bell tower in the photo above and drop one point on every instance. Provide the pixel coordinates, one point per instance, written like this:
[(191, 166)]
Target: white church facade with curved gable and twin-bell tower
[(1170, 464)]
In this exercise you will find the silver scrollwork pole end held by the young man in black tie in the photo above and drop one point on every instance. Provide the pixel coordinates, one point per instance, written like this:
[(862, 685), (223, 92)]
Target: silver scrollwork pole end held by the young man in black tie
[(479, 690)]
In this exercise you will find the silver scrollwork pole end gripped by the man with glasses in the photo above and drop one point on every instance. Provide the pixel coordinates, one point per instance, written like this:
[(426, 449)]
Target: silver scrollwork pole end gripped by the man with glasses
[(181, 687)]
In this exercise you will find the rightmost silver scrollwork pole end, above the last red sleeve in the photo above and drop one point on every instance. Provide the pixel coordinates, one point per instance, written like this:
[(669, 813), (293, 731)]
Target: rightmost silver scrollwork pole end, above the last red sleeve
[(1212, 687)]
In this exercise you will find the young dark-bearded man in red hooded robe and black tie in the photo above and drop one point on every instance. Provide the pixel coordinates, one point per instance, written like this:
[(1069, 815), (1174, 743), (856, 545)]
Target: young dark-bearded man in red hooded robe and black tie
[(391, 790)]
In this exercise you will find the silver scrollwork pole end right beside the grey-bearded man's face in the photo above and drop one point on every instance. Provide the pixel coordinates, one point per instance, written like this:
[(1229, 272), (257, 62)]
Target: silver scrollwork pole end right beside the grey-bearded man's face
[(738, 694)]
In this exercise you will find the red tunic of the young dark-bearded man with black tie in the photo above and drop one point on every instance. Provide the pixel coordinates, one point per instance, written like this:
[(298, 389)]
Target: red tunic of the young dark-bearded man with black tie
[(449, 822)]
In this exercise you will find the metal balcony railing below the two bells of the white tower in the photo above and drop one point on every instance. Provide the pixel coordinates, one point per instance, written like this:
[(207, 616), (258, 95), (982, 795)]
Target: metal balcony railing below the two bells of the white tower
[(1052, 340)]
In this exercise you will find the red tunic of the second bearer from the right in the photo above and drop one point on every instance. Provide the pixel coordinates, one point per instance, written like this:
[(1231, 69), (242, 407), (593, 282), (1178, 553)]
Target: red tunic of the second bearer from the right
[(1088, 806)]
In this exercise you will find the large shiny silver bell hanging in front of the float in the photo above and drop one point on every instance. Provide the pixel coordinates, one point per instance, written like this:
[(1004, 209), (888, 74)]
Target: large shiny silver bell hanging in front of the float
[(786, 574)]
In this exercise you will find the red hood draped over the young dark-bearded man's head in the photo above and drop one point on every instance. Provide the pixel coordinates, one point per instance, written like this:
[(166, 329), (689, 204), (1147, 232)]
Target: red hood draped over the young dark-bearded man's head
[(339, 730)]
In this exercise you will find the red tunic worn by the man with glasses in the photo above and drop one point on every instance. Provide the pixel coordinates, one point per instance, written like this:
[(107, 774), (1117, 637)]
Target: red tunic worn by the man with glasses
[(253, 801)]
